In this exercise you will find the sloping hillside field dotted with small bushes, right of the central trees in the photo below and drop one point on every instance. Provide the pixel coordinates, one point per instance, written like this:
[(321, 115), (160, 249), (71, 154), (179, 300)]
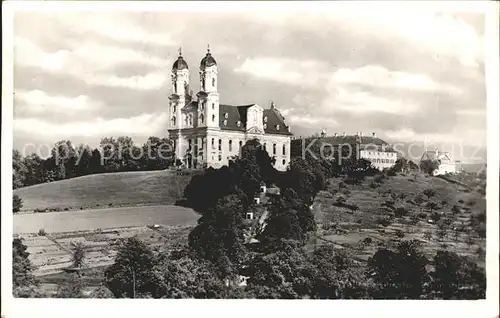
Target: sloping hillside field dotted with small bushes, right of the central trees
[(355, 223)]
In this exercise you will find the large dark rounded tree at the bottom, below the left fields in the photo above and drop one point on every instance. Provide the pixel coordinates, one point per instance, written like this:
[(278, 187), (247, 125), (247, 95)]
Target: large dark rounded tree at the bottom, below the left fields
[(130, 275)]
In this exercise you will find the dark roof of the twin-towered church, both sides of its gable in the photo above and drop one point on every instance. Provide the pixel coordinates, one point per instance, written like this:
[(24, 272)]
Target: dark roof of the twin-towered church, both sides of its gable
[(239, 113)]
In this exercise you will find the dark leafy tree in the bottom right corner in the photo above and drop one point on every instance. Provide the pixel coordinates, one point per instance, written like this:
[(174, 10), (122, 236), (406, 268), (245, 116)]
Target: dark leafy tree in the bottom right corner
[(457, 277)]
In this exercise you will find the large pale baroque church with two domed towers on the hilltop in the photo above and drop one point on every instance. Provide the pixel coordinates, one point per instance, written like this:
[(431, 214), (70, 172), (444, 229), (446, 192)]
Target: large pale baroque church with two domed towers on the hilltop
[(209, 134)]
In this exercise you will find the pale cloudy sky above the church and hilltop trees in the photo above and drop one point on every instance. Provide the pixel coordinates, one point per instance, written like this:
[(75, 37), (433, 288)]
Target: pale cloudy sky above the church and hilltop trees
[(406, 74)]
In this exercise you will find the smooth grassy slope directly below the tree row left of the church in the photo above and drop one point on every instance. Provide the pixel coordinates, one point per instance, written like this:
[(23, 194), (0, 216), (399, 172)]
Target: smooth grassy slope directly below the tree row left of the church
[(105, 190)]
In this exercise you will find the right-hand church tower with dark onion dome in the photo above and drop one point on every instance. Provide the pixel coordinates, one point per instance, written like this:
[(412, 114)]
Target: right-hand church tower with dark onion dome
[(208, 97)]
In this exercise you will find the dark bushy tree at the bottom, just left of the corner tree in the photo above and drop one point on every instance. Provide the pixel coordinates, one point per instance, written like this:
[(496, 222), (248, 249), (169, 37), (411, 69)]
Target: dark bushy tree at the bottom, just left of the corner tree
[(399, 274)]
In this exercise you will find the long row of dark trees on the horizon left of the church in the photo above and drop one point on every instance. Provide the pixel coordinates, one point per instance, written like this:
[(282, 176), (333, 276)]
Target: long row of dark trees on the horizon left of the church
[(112, 155)]
